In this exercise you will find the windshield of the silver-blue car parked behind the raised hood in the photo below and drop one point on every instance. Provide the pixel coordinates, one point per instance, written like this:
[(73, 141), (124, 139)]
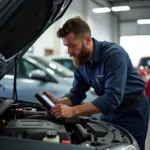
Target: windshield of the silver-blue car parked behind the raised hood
[(54, 66)]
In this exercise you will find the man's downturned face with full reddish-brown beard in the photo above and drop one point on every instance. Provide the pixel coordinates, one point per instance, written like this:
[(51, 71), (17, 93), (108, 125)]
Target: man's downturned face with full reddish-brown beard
[(77, 48)]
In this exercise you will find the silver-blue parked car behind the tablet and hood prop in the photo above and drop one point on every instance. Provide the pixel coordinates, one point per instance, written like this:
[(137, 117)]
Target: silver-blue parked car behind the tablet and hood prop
[(37, 74)]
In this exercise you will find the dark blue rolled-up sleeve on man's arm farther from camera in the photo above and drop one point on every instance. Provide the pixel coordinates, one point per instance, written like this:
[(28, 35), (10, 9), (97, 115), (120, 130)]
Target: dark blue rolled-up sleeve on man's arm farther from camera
[(79, 89)]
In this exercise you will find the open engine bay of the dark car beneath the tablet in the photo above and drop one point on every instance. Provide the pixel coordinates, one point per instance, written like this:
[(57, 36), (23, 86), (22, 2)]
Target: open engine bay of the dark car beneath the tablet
[(28, 121)]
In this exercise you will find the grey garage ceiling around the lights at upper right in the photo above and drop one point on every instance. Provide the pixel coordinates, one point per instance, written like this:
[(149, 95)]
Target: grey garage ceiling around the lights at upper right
[(140, 9)]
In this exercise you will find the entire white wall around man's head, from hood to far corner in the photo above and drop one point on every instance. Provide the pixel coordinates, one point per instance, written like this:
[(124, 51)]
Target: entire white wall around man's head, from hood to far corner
[(104, 27)]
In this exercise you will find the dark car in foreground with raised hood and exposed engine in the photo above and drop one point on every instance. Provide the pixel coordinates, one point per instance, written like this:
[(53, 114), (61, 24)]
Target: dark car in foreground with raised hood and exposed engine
[(24, 125)]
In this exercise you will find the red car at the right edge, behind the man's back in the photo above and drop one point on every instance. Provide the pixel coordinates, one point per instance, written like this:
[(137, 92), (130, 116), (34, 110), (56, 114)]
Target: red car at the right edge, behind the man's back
[(144, 71)]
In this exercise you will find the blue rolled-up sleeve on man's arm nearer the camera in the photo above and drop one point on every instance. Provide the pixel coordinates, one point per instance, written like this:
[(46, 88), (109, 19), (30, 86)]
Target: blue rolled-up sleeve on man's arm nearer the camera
[(115, 83)]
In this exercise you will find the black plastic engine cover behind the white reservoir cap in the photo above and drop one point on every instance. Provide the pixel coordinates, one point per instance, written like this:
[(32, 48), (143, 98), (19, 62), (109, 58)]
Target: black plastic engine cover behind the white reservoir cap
[(34, 129)]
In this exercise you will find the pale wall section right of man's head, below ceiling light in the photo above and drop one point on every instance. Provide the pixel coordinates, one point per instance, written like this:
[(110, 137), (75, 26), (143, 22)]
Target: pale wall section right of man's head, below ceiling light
[(104, 26)]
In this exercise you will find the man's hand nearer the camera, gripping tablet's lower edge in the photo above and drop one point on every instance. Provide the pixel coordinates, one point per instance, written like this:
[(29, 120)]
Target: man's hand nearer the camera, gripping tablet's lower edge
[(62, 111)]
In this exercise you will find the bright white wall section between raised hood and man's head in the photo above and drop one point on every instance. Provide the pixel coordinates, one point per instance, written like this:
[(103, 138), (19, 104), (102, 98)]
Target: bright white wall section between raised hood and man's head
[(49, 38)]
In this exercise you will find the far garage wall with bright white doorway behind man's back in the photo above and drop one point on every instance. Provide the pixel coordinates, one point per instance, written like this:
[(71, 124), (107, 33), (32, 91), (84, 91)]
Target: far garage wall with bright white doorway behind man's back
[(135, 37)]
